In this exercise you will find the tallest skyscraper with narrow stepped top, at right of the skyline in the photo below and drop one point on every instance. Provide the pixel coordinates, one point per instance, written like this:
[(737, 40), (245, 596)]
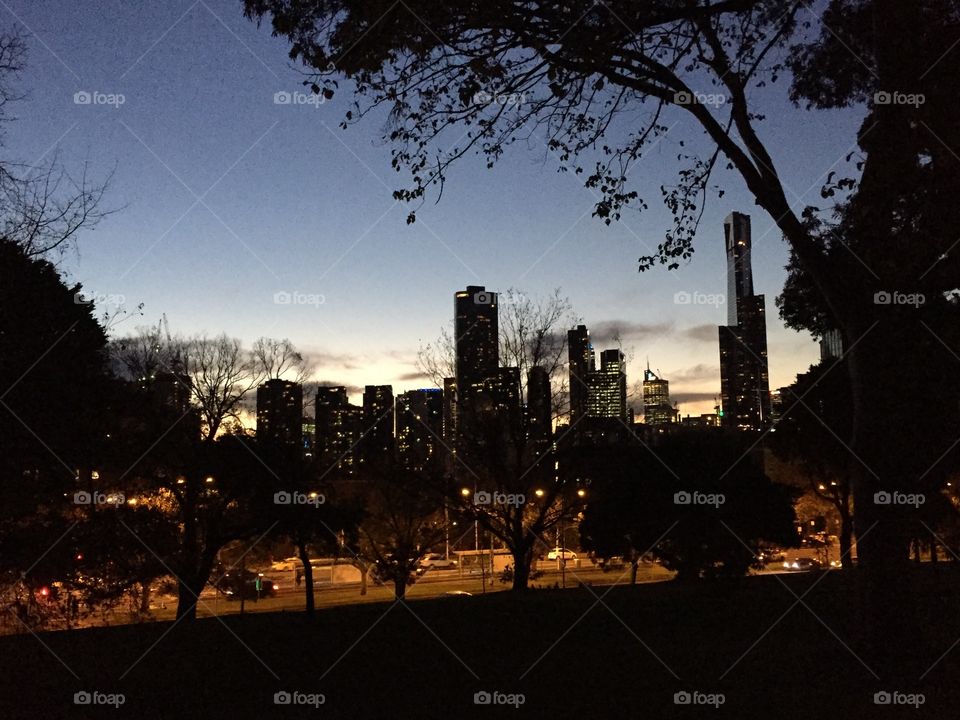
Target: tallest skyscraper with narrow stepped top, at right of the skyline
[(744, 380)]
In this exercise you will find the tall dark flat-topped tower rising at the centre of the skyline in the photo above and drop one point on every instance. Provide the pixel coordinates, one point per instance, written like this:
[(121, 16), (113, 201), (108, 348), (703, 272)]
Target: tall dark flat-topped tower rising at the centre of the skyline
[(476, 331)]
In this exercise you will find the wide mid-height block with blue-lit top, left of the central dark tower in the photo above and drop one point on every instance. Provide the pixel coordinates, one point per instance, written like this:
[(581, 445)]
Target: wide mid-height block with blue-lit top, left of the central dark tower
[(420, 428)]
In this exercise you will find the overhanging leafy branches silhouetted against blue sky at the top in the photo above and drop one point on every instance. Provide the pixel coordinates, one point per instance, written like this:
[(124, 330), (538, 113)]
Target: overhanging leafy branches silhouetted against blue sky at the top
[(464, 77)]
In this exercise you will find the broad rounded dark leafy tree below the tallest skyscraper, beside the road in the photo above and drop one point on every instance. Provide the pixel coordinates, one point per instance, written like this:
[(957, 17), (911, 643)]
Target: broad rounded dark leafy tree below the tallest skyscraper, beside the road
[(703, 507)]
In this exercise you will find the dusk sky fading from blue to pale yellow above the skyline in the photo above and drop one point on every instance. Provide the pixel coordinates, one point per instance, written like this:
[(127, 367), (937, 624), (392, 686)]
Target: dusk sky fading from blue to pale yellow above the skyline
[(229, 203)]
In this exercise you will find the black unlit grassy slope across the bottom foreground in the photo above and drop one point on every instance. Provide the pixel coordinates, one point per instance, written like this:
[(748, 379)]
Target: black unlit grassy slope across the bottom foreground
[(587, 653)]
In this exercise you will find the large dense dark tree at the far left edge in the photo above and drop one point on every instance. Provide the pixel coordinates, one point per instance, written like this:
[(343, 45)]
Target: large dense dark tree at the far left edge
[(61, 419)]
